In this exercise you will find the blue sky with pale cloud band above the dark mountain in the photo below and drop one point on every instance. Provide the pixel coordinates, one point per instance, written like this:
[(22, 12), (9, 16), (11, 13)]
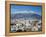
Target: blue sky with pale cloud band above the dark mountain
[(25, 9)]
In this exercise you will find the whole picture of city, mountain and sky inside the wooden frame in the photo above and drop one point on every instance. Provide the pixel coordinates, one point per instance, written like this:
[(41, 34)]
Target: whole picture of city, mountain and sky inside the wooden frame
[(26, 19)]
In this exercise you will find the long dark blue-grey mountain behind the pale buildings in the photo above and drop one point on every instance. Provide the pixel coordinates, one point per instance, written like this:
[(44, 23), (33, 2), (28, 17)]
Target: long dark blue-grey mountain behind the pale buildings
[(25, 16)]
